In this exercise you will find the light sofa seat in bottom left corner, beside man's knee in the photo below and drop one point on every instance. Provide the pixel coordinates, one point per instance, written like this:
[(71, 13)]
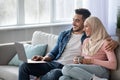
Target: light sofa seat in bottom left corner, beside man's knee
[(8, 72)]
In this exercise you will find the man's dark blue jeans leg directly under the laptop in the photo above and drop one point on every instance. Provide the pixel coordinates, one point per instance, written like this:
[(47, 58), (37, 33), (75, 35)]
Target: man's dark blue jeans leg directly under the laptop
[(37, 69)]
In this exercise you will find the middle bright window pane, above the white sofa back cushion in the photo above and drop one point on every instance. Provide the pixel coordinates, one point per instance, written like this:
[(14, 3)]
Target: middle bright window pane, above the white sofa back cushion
[(37, 11)]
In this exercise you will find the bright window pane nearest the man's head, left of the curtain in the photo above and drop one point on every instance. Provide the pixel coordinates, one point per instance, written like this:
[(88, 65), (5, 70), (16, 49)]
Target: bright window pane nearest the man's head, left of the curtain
[(64, 9)]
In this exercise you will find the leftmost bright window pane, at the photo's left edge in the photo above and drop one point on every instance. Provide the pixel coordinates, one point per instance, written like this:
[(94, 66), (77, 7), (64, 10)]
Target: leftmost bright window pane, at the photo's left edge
[(8, 13)]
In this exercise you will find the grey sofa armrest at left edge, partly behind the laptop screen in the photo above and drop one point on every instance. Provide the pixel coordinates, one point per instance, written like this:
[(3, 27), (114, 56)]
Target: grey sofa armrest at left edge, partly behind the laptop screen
[(7, 52)]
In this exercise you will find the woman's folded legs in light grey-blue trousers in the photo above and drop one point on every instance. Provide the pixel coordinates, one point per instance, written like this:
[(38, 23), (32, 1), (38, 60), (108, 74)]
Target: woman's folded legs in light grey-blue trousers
[(84, 72)]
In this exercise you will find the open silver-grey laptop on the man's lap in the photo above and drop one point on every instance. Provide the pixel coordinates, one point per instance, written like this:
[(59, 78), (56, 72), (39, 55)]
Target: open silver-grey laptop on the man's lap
[(22, 55)]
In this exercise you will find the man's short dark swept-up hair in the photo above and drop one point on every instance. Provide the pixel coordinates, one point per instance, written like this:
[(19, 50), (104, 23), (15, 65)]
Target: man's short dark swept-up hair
[(84, 12)]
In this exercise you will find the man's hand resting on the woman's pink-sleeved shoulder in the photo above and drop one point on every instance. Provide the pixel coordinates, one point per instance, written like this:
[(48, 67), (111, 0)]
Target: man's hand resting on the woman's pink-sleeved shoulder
[(112, 44)]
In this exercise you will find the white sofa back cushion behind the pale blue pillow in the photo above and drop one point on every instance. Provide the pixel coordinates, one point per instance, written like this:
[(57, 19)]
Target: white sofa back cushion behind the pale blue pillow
[(40, 37)]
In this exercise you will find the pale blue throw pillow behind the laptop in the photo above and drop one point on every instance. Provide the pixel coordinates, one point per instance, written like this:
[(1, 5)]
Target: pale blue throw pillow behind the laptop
[(30, 50)]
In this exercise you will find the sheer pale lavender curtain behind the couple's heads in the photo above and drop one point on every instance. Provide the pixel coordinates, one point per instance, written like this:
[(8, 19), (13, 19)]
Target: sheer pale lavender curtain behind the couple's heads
[(106, 10)]
